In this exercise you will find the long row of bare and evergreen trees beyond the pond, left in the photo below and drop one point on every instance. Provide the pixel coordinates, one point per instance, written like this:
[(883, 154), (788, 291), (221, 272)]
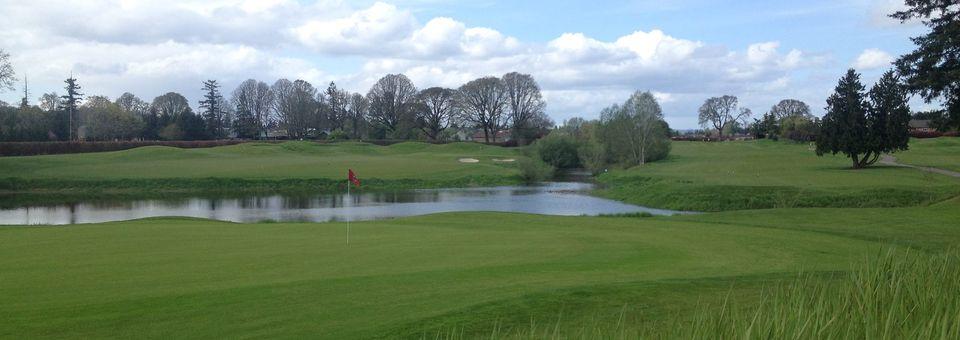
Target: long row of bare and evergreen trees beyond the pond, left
[(511, 106)]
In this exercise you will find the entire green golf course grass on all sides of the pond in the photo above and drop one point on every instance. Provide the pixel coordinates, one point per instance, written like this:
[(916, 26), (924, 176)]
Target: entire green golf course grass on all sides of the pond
[(775, 214)]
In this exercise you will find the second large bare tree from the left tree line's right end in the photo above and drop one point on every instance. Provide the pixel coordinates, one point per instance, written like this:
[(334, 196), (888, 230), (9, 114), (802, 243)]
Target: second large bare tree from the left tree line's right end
[(482, 102)]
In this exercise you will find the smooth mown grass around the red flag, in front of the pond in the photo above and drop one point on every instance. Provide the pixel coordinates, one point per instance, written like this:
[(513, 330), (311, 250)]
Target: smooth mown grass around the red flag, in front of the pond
[(411, 277)]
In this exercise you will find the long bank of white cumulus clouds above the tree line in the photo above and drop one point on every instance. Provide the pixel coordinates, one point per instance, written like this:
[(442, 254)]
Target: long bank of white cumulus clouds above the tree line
[(150, 47)]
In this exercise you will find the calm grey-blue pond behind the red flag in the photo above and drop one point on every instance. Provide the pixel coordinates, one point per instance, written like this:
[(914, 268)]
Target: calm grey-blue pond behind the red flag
[(555, 198)]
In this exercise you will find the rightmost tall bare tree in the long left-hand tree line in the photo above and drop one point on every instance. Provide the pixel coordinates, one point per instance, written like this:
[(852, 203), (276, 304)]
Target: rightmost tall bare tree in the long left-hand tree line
[(525, 100)]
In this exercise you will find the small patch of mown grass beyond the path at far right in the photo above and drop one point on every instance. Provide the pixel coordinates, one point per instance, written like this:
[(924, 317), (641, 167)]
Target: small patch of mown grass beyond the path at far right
[(943, 153)]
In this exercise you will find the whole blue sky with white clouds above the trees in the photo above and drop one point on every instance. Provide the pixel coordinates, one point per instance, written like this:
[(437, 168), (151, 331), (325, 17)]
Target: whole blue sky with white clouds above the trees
[(586, 55)]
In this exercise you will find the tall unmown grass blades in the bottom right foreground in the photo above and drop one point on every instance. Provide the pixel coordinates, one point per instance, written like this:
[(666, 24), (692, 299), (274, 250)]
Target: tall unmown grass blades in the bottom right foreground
[(896, 295)]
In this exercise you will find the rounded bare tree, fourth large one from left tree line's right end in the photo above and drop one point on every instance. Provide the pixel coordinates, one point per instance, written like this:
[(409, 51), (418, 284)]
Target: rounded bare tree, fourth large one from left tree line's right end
[(391, 101)]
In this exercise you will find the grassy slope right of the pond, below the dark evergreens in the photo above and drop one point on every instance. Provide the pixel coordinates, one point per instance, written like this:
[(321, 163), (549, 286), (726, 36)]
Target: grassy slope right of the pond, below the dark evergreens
[(765, 174)]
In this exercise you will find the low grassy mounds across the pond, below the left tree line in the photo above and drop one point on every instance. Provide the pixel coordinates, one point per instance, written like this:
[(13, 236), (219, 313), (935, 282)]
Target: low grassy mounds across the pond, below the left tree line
[(258, 167)]
